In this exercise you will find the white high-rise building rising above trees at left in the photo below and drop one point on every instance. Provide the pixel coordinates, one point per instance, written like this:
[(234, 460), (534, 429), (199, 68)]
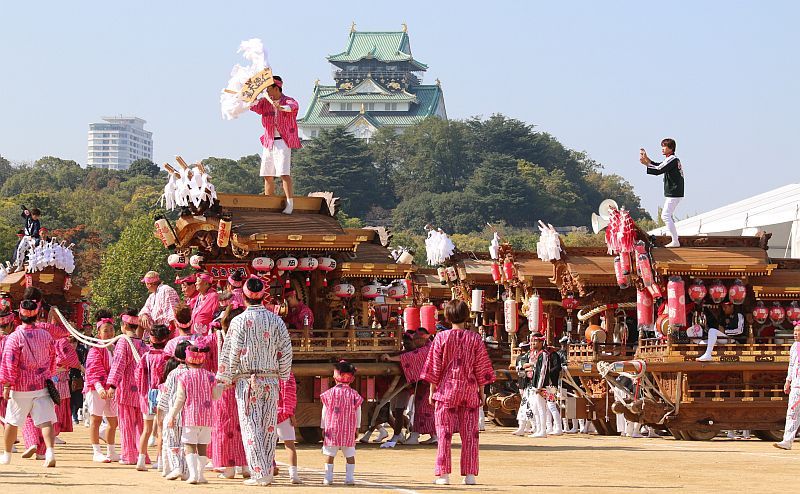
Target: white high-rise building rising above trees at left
[(119, 141)]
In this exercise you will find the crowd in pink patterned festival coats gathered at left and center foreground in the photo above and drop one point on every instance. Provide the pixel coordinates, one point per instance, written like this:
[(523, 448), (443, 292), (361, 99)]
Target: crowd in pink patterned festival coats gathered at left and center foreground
[(208, 378)]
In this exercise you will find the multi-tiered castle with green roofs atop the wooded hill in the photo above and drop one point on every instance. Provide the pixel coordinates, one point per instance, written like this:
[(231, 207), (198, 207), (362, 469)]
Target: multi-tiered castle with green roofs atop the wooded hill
[(377, 83)]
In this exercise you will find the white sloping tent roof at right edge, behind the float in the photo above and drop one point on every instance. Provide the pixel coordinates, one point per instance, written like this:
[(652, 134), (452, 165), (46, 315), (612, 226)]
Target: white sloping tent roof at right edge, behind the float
[(776, 212)]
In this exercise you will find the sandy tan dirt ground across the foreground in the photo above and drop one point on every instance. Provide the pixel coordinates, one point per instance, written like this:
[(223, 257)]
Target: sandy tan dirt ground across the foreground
[(574, 463)]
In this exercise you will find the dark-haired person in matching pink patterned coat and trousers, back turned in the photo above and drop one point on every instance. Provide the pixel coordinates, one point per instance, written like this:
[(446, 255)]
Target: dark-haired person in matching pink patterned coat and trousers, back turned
[(458, 367)]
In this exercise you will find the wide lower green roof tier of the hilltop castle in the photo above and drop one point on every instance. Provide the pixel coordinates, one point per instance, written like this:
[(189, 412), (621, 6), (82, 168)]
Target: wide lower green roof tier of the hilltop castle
[(428, 99)]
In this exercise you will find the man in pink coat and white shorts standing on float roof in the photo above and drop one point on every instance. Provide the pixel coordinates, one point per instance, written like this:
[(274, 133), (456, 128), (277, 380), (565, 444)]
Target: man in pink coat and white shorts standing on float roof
[(279, 118)]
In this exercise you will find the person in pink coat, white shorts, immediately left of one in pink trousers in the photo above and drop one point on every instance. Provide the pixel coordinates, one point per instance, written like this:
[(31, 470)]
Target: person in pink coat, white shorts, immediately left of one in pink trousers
[(95, 387)]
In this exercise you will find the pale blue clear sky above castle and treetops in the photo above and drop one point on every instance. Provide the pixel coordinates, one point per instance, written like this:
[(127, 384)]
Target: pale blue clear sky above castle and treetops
[(721, 77)]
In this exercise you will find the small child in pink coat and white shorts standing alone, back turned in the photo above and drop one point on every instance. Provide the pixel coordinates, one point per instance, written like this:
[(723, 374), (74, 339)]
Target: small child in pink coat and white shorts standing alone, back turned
[(341, 417)]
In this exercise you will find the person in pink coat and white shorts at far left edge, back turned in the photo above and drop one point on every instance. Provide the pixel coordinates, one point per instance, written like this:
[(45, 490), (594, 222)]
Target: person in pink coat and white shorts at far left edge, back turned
[(28, 359)]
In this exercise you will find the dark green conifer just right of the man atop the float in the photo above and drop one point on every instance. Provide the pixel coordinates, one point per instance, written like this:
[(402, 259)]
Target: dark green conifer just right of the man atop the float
[(340, 163)]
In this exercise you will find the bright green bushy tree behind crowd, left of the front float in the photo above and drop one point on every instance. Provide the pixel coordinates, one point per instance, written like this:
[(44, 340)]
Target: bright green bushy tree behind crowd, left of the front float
[(125, 262)]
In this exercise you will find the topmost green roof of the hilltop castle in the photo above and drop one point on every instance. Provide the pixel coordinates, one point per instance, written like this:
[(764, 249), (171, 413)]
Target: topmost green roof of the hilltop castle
[(382, 46)]
